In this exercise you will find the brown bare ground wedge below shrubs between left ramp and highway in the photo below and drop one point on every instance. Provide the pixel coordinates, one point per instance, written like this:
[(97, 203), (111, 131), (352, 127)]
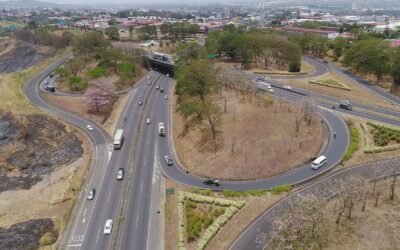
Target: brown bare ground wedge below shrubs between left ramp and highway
[(78, 105)]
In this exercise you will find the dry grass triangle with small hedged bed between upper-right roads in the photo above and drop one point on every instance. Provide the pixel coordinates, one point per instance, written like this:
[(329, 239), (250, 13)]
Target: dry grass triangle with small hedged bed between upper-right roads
[(357, 93)]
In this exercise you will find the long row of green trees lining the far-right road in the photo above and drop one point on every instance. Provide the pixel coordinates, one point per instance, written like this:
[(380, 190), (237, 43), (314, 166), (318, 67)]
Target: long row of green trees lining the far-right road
[(366, 54)]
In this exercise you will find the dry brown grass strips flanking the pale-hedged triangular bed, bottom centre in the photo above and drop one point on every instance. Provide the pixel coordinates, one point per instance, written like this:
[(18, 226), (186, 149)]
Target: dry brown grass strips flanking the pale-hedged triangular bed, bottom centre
[(225, 236)]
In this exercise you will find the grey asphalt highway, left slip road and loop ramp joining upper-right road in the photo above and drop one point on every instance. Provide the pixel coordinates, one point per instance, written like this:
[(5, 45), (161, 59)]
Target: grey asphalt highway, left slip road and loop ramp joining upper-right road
[(134, 203)]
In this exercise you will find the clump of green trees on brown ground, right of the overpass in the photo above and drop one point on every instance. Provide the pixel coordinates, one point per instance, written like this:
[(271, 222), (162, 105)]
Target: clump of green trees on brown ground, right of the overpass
[(255, 48)]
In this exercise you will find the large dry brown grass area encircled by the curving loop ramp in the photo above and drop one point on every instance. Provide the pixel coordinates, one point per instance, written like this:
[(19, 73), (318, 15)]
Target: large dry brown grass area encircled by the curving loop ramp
[(257, 141)]
